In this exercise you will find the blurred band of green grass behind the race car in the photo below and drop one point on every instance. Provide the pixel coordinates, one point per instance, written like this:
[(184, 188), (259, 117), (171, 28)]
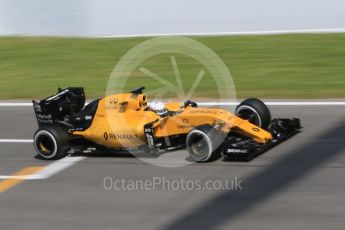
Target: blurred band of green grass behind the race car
[(275, 66)]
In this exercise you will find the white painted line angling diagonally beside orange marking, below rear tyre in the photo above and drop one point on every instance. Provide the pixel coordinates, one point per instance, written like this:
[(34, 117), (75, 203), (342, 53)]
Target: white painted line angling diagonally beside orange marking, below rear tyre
[(49, 170)]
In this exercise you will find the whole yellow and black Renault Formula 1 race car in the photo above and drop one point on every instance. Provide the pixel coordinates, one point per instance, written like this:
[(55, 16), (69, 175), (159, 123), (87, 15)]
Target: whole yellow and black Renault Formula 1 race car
[(127, 122)]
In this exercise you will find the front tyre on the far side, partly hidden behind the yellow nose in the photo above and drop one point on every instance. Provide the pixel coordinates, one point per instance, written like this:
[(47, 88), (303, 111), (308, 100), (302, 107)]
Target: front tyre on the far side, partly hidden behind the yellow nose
[(255, 111)]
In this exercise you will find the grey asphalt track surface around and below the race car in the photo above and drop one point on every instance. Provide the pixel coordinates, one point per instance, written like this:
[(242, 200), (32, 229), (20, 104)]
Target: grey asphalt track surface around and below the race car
[(299, 184)]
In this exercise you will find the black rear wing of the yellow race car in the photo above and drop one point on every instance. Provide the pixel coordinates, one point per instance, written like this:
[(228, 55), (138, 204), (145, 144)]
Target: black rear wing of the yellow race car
[(60, 107)]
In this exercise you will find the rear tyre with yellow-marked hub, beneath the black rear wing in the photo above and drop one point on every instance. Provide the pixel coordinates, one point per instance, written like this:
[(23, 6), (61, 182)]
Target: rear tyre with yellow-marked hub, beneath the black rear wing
[(51, 142)]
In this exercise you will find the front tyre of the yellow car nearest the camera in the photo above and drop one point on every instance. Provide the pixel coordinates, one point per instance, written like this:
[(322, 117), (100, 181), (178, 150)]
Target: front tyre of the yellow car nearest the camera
[(204, 143)]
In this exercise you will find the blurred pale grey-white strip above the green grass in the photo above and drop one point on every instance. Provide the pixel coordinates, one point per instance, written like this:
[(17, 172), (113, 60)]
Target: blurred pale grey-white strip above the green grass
[(107, 17)]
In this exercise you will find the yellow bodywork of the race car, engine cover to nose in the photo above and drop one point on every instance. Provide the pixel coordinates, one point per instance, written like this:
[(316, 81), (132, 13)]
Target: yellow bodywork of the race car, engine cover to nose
[(120, 119)]
